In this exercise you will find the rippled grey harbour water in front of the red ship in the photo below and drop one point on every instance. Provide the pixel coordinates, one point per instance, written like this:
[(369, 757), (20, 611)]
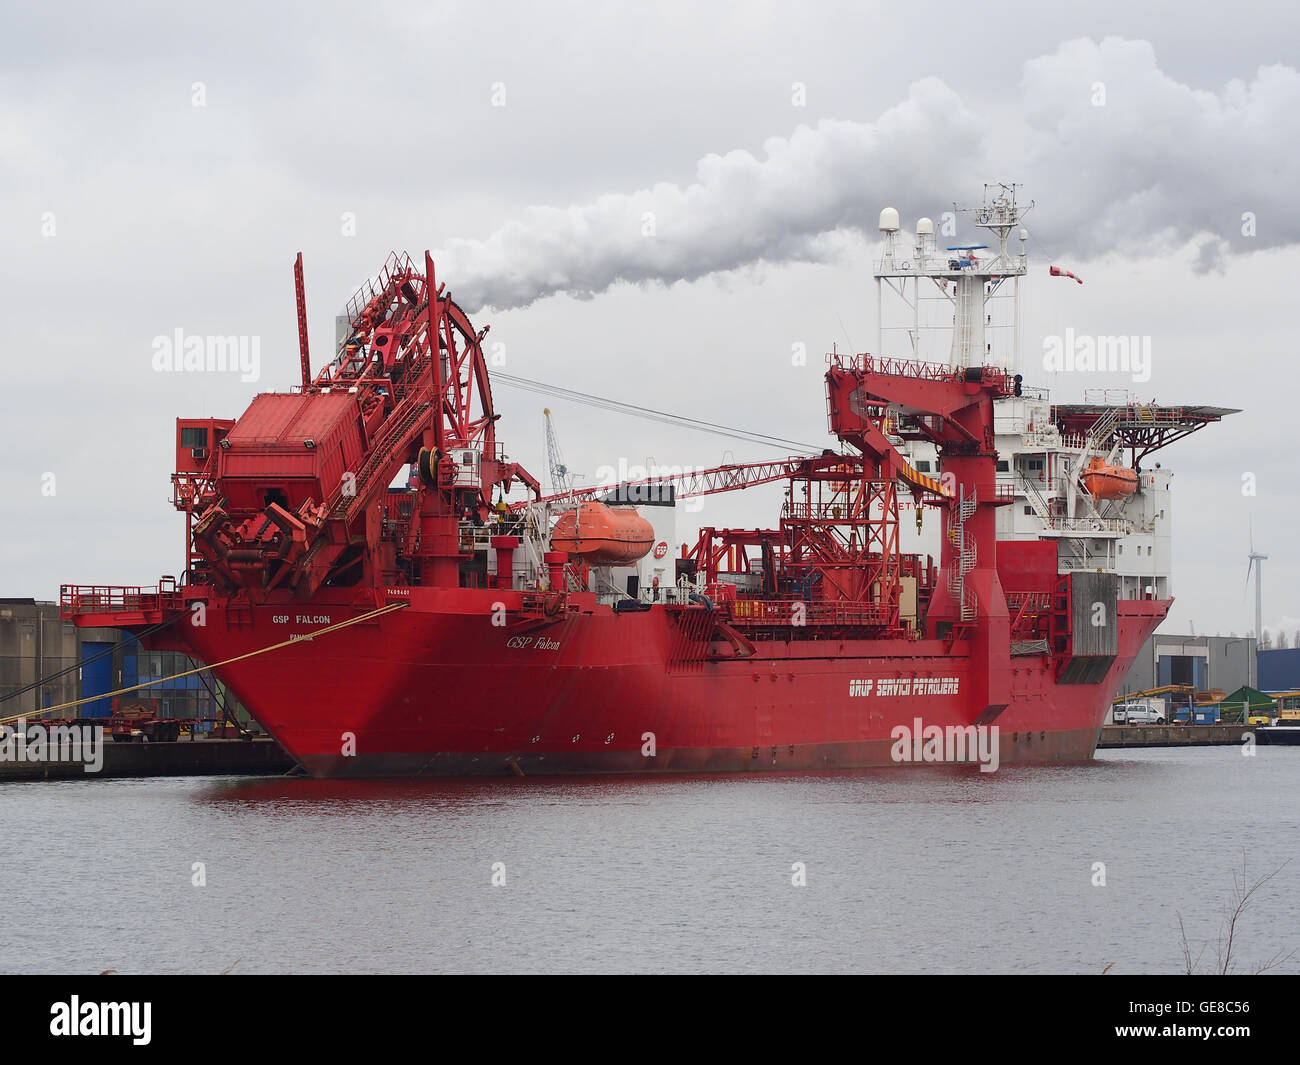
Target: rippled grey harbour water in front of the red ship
[(909, 871)]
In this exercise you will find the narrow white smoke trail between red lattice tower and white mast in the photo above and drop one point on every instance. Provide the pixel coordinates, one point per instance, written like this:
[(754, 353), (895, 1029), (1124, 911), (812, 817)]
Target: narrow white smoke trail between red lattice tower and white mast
[(785, 207)]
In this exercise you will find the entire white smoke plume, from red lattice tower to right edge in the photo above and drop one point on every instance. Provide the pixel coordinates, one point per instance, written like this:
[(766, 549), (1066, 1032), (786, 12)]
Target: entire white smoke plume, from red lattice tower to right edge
[(1119, 154)]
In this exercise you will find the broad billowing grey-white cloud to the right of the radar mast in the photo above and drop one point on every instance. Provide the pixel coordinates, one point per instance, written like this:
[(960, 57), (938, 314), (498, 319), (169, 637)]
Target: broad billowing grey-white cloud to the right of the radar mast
[(1160, 163)]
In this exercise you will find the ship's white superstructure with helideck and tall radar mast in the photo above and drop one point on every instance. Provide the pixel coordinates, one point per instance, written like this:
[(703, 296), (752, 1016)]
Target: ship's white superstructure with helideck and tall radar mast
[(960, 305)]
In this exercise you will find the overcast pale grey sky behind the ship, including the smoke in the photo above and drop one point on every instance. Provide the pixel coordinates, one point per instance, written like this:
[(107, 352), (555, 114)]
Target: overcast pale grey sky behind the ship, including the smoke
[(161, 167)]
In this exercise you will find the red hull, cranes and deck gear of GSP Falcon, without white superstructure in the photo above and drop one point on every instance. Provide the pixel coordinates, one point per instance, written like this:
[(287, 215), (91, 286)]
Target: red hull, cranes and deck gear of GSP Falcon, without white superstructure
[(434, 627)]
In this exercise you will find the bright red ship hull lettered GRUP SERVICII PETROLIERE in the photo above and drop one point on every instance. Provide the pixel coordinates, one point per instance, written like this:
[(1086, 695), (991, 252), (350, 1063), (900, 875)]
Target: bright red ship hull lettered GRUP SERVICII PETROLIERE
[(439, 690)]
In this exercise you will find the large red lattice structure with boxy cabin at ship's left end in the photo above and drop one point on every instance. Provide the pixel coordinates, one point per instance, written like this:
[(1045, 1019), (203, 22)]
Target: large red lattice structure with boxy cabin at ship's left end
[(293, 493)]
